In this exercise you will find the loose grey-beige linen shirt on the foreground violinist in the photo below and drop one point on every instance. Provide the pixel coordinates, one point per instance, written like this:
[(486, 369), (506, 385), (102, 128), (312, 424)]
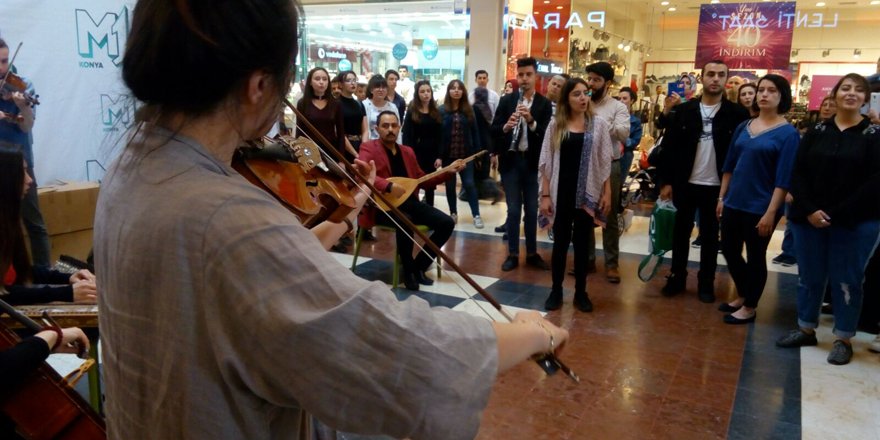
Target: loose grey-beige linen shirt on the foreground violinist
[(223, 318)]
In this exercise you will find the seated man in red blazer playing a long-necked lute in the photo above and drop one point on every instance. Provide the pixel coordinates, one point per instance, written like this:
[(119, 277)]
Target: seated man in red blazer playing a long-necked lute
[(396, 160)]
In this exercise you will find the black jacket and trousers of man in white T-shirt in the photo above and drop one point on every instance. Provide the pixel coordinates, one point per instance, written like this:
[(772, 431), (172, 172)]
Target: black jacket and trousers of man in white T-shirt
[(684, 126)]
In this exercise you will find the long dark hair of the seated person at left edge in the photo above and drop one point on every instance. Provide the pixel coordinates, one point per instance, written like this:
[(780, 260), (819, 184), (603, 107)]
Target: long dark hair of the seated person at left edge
[(12, 249)]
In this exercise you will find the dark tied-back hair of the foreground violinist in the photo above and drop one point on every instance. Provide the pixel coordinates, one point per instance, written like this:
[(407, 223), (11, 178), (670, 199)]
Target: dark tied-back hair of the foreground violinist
[(213, 48)]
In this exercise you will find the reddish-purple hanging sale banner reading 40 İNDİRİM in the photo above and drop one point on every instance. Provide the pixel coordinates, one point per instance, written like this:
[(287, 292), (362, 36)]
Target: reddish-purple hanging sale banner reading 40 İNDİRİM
[(746, 35)]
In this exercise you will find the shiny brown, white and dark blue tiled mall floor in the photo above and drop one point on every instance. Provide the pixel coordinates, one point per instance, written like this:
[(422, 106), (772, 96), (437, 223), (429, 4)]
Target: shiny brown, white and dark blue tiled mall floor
[(651, 366)]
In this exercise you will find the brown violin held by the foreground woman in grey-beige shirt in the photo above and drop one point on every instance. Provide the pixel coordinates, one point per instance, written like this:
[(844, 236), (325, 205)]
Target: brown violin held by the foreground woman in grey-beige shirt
[(292, 170)]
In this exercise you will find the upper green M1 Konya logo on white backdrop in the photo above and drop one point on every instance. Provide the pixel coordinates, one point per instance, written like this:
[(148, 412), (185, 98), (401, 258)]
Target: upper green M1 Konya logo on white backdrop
[(102, 39)]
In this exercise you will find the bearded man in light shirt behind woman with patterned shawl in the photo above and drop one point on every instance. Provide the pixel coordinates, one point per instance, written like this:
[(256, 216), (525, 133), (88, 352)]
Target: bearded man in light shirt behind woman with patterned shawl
[(599, 77)]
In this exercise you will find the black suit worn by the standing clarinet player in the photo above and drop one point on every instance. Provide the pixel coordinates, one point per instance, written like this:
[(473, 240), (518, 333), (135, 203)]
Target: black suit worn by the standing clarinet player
[(519, 170)]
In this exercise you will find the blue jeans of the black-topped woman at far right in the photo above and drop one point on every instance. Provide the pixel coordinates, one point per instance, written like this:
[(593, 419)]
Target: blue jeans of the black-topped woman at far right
[(834, 256)]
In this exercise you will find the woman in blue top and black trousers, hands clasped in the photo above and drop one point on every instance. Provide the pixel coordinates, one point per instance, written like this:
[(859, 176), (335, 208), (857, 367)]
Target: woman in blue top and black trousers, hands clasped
[(755, 180)]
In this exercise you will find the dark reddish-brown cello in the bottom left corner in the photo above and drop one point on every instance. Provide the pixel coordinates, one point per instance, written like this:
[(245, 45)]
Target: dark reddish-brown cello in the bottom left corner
[(45, 406)]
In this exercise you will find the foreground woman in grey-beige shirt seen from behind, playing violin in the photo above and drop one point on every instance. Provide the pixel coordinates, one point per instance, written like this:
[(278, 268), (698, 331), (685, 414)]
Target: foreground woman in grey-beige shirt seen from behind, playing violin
[(258, 322)]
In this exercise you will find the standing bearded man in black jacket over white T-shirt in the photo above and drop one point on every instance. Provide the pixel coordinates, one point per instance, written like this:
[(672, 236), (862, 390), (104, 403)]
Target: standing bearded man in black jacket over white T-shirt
[(698, 134)]
